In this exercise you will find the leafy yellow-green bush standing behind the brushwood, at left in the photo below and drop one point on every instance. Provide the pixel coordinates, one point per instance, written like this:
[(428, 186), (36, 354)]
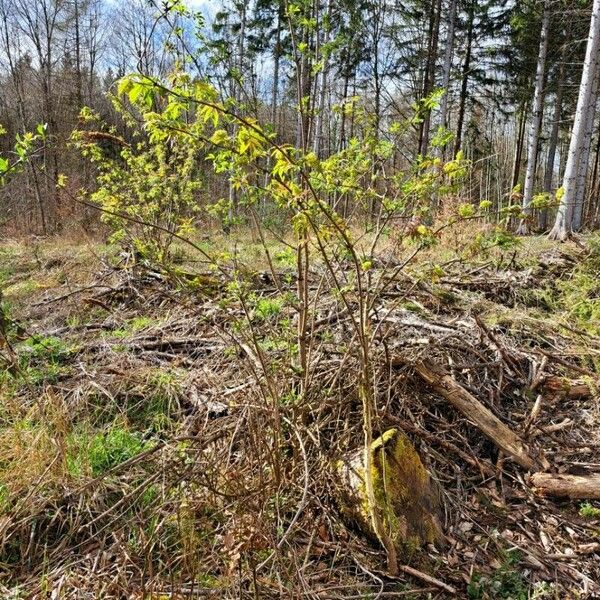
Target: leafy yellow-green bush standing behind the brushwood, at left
[(148, 191)]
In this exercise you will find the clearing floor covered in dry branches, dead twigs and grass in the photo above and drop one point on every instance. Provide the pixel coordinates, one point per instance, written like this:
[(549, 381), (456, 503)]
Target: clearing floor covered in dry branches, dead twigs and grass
[(134, 459)]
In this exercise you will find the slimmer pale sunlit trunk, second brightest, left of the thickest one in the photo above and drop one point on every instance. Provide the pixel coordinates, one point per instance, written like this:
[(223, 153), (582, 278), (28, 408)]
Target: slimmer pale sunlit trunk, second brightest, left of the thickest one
[(536, 123)]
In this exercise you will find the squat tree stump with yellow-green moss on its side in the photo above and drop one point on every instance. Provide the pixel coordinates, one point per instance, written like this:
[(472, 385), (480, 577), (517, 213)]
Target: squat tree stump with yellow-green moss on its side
[(408, 501)]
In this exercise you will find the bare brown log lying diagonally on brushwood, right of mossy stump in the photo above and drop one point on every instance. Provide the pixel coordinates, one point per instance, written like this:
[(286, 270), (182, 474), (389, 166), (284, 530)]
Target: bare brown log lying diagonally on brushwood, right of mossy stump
[(492, 427)]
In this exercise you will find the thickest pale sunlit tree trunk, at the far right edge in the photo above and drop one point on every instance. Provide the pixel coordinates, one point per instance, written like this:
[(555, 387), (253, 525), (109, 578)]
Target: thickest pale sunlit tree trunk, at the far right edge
[(564, 218)]
